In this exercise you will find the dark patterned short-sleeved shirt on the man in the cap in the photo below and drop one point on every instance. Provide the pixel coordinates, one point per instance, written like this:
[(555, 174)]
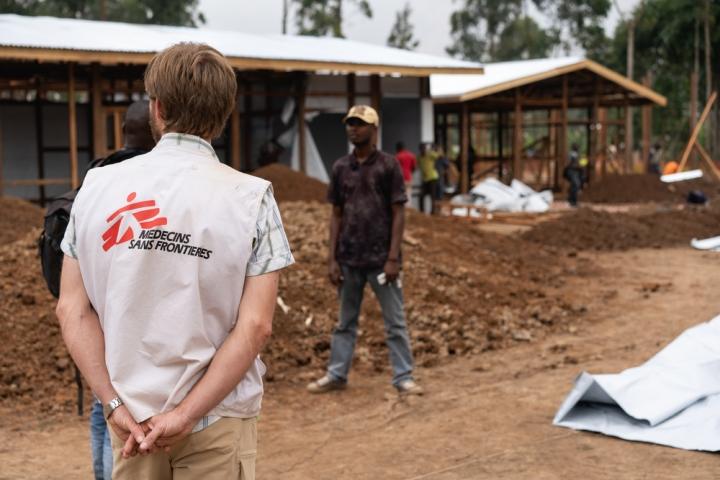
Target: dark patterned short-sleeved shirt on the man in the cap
[(366, 193)]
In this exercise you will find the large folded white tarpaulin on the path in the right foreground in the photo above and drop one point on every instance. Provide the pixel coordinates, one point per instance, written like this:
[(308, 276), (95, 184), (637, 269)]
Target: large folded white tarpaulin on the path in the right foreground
[(673, 399)]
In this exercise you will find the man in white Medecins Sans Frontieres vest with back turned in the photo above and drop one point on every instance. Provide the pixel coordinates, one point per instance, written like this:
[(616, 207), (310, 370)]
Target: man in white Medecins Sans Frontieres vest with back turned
[(179, 256)]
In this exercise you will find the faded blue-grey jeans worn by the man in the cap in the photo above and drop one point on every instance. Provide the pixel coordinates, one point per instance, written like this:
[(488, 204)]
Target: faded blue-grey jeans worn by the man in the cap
[(345, 333)]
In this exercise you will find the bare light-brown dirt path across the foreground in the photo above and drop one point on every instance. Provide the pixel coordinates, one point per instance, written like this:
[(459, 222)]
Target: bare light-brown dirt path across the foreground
[(487, 416)]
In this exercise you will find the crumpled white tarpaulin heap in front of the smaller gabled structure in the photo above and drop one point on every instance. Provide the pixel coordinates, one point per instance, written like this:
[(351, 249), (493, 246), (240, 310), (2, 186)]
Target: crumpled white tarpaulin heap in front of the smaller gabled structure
[(494, 196)]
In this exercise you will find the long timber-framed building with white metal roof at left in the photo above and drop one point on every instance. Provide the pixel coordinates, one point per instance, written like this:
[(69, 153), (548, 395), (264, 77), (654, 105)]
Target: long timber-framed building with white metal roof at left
[(92, 88)]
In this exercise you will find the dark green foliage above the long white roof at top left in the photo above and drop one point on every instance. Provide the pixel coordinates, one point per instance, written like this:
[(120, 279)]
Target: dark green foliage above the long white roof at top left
[(161, 12)]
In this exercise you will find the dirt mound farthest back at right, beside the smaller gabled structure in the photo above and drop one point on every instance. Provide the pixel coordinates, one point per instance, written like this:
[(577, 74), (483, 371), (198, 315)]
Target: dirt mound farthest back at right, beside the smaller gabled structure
[(642, 188)]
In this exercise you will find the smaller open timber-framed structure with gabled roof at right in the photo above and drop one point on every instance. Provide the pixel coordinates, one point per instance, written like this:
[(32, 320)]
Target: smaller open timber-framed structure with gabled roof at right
[(495, 118)]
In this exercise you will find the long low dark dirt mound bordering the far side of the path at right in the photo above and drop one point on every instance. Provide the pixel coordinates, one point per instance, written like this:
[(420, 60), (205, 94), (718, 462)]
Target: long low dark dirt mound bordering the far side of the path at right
[(587, 229)]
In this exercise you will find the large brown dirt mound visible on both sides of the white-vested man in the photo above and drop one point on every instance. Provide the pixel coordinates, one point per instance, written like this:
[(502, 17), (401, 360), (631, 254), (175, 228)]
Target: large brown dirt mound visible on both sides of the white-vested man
[(498, 291)]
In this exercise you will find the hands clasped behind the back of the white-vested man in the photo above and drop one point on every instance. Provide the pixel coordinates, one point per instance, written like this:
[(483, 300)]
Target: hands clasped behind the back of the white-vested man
[(157, 433)]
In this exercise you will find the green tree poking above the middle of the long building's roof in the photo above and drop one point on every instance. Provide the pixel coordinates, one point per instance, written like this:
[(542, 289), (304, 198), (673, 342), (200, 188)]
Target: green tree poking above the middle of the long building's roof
[(324, 17)]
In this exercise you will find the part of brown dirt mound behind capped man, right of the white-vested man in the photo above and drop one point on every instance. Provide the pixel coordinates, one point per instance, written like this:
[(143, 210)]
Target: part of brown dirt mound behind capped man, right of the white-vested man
[(498, 291)]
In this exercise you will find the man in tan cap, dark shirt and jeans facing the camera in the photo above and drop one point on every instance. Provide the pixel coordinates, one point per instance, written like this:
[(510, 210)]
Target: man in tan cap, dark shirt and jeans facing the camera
[(367, 192)]
